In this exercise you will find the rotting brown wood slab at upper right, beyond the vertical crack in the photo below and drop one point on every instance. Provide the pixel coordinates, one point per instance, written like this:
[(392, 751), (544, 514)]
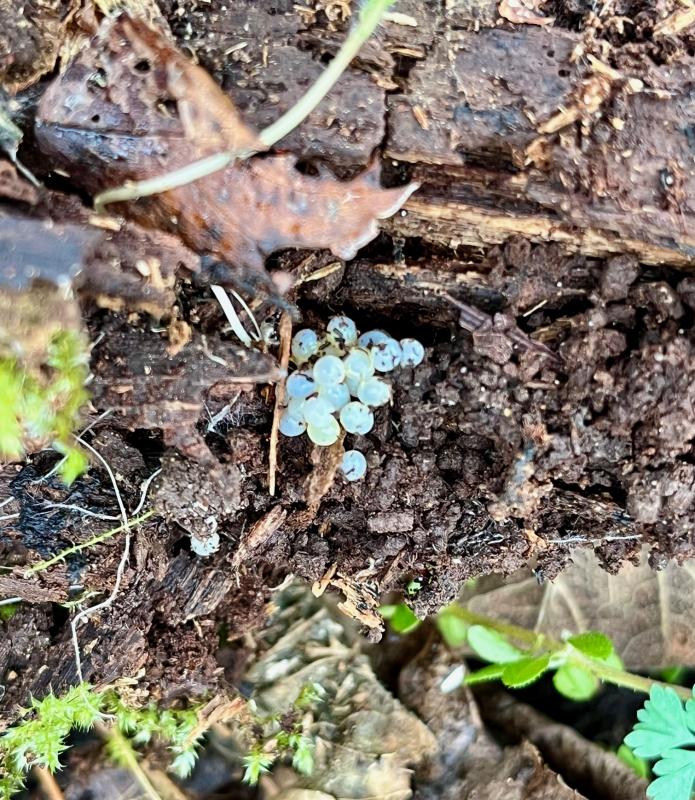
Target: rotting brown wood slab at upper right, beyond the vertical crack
[(598, 186)]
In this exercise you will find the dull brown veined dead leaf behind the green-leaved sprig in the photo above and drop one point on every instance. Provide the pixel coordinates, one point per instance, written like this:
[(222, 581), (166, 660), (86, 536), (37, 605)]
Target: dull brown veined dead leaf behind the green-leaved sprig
[(650, 616)]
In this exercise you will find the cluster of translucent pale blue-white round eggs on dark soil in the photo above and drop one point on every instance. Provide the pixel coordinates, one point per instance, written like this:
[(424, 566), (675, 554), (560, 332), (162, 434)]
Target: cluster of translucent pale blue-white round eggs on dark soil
[(336, 384)]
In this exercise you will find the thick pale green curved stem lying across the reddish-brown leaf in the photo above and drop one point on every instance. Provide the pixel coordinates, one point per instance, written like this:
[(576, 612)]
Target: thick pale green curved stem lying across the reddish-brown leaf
[(366, 25)]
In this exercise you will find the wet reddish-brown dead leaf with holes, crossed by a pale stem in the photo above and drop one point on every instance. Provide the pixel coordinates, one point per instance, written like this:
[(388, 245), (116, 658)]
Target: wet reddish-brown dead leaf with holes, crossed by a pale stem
[(132, 107)]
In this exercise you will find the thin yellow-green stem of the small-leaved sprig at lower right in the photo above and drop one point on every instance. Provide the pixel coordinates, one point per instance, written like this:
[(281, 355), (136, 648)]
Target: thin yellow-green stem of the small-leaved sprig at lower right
[(536, 641)]
